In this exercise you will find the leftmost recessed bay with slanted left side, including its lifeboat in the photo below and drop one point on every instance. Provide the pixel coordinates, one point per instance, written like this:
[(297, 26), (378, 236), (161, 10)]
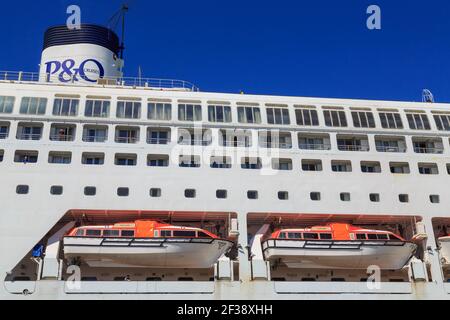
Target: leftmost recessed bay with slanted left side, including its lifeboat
[(132, 246)]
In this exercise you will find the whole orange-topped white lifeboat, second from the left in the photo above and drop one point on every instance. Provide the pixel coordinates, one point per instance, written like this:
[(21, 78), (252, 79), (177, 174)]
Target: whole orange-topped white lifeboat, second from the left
[(337, 246)]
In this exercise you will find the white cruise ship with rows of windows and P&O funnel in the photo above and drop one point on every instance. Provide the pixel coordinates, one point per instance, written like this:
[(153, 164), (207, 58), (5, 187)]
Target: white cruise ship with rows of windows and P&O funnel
[(95, 151)]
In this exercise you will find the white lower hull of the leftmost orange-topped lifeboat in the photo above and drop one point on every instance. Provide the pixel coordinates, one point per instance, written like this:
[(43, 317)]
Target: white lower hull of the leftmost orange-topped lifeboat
[(146, 253)]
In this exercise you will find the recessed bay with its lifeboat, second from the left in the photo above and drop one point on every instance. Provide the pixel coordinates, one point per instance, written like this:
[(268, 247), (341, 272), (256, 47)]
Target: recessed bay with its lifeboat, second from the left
[(331, 247)]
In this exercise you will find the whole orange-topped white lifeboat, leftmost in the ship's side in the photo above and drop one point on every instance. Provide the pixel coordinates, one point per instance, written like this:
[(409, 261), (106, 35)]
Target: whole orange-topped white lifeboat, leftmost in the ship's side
[(144, 244)]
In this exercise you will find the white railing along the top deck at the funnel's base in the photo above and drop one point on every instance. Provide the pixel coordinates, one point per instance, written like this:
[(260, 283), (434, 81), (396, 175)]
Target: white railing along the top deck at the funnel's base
[(20, 76)]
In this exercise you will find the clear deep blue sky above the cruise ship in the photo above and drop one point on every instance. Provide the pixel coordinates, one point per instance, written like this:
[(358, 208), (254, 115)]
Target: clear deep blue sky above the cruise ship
[(299, 48)]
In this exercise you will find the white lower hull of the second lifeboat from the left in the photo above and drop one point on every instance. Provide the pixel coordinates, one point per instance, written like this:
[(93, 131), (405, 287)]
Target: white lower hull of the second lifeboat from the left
[(340, 255)]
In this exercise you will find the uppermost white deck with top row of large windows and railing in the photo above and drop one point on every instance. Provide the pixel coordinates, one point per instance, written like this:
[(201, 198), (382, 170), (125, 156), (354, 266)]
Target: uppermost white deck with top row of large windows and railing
[(222, 109)]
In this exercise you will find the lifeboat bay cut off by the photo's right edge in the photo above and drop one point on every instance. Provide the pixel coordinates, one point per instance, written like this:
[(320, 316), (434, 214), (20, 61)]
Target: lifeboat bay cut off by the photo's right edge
[(441, 231)]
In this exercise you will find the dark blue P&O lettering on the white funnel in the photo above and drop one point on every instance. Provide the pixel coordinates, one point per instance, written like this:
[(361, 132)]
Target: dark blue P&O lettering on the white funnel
[(67, 71)]
